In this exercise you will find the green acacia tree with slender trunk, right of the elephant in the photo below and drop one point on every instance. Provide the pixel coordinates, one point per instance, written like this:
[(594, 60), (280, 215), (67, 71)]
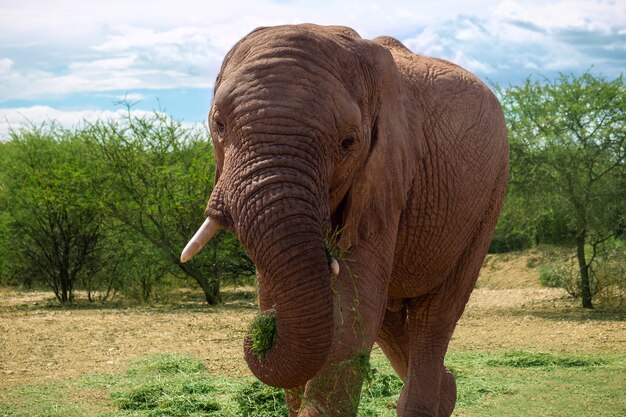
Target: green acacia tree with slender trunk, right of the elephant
[(568, 147)]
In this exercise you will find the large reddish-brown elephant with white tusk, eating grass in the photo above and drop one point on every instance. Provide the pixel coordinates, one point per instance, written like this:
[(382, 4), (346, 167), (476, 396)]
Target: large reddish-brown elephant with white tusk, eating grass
[(365, 182)]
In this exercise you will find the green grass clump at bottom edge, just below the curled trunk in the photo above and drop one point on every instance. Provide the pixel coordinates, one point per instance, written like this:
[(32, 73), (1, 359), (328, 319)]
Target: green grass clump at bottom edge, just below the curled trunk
[(260, 400)]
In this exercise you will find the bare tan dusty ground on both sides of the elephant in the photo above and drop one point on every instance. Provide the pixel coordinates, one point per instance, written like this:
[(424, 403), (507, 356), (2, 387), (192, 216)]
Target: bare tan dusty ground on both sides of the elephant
[(40, 341)]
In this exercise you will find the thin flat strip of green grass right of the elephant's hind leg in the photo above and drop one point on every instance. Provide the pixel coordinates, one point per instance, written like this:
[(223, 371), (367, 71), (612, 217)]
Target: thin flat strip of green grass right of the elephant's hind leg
[(537, 359)]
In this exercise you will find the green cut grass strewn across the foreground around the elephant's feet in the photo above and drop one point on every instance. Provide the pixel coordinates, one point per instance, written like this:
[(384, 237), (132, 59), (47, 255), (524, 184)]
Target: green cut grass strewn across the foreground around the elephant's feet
[(489, 384)]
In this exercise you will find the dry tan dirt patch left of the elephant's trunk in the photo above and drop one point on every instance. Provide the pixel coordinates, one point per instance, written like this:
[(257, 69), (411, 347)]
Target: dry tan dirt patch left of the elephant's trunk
[(42, 343)]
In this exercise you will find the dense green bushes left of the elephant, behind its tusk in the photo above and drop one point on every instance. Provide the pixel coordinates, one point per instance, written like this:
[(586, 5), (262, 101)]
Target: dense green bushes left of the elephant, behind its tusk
[(108, 206)]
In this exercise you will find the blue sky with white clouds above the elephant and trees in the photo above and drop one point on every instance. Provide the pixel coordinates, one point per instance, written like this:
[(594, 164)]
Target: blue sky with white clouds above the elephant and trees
[(74, 60)]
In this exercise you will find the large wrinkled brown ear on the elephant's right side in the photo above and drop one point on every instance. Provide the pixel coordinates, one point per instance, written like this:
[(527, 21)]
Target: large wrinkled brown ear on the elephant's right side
[(379, 191)]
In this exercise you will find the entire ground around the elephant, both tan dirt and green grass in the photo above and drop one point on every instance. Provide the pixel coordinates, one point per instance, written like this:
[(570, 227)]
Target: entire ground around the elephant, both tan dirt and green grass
[(519, 350)]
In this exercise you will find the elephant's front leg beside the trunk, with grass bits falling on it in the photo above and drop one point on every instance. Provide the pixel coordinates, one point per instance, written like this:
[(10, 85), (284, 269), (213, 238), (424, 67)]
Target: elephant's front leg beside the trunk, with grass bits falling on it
[(360, 299)]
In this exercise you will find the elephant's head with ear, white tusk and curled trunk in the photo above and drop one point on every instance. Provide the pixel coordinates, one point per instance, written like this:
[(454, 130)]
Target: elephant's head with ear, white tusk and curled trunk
[(309, 129)]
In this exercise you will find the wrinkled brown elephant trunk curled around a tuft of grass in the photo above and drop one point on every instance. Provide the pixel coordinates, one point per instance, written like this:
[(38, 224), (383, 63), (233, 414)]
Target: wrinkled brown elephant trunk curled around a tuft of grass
[(278, 221)]
